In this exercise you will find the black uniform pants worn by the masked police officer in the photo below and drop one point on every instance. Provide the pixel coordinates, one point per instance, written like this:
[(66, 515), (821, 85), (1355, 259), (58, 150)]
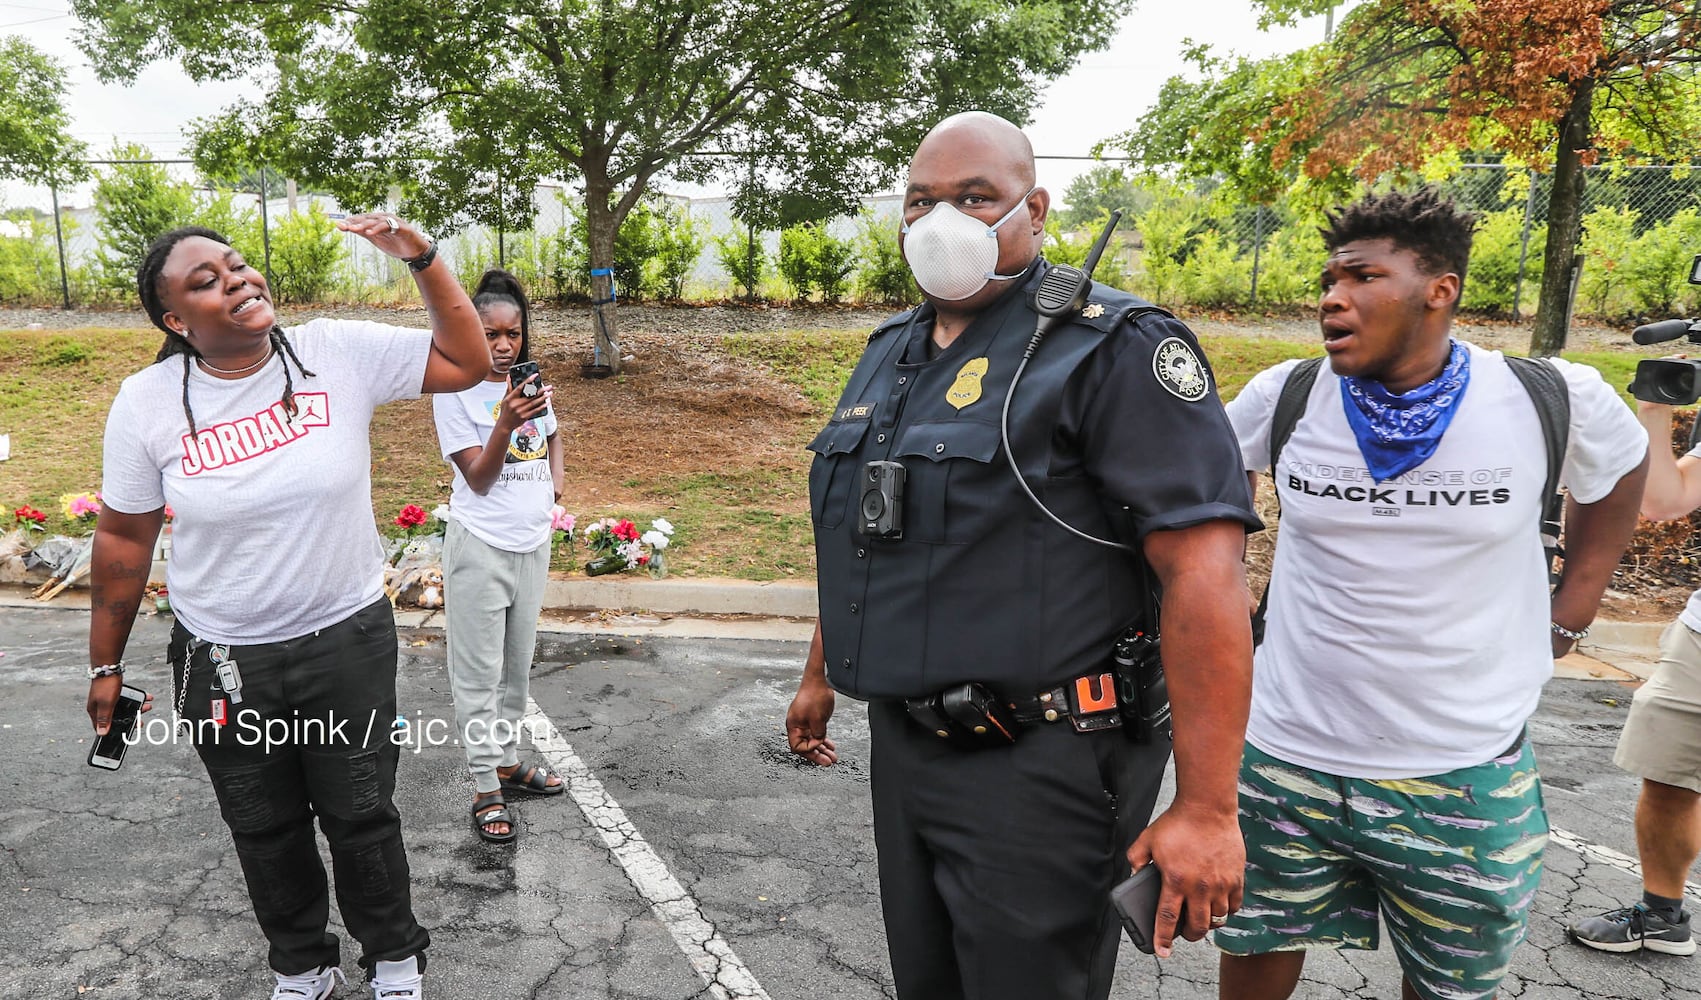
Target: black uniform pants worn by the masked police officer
[(996, 866)]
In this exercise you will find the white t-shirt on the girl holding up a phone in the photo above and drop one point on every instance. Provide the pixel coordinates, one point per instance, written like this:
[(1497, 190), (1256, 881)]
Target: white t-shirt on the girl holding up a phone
[(515, 514)]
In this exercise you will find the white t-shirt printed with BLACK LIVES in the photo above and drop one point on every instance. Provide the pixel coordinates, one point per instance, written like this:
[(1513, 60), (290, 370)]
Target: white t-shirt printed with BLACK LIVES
[(1408, 627)]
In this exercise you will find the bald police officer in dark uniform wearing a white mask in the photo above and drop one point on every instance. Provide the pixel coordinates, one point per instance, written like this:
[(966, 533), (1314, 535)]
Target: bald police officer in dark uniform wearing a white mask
[(999, 851)]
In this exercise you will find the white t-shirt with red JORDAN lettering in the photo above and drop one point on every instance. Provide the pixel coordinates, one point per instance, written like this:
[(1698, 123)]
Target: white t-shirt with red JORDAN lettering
[(273, 533)]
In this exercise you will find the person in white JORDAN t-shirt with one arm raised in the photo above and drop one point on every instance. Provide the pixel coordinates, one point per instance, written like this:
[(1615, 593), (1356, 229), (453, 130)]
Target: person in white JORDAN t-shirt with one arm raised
[(259, 438)]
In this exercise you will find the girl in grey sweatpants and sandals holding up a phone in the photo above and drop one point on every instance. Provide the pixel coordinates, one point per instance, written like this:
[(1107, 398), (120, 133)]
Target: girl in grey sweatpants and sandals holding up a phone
[(503, 443)]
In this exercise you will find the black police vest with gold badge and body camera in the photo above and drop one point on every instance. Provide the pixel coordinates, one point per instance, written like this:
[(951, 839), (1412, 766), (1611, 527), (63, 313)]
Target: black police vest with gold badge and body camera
[(982, 586)]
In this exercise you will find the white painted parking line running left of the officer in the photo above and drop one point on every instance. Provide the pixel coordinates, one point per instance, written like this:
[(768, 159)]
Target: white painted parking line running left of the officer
[(708, 953)]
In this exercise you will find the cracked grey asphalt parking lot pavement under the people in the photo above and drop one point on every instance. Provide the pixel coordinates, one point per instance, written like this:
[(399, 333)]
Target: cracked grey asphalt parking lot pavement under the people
[(697, 858)]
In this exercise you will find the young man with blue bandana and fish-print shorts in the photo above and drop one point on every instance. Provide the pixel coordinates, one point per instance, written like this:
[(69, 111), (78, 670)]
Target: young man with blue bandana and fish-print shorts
[(1409, 622)]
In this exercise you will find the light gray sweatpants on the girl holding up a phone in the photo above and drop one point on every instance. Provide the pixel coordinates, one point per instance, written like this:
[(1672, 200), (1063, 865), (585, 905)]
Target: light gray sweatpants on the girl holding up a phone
[(491, 599)]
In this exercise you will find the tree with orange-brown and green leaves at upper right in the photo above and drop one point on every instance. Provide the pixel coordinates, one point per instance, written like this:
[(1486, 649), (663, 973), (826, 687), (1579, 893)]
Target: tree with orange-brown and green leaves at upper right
[(1547, 82)]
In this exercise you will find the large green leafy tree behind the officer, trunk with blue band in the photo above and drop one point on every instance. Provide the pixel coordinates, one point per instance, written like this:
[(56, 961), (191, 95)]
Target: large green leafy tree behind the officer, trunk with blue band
[(465, 105)]
